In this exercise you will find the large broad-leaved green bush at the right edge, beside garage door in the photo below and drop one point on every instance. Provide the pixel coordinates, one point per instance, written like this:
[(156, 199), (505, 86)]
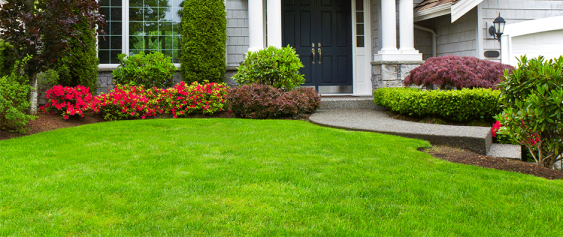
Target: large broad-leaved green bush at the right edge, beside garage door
[(531, 98)]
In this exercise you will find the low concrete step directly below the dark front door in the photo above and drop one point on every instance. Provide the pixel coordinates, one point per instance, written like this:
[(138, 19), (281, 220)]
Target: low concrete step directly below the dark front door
[(348, 102)]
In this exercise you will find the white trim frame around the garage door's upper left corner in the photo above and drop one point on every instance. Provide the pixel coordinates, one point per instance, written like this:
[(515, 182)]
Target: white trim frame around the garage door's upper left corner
[(526, 28)]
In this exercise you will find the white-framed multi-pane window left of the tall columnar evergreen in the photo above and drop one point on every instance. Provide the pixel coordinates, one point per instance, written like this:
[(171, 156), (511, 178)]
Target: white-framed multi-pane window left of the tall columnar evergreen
[(148, 25)]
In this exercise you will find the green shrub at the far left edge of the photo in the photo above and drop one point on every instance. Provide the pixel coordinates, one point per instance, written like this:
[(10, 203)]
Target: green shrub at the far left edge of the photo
[(13, 100)]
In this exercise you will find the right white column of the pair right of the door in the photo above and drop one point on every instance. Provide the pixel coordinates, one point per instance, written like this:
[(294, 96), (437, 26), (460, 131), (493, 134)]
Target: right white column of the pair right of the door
[(406, 26)]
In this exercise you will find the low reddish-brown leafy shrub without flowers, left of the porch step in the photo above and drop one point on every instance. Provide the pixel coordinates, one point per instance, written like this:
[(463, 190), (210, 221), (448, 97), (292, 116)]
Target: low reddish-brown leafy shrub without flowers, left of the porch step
[(263, 101)]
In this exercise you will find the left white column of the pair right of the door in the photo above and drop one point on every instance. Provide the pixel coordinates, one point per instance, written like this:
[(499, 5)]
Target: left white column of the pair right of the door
[(388, 27)]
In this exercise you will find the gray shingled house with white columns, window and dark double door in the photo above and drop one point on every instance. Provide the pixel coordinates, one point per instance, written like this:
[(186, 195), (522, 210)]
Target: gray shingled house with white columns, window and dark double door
[(346, 46)]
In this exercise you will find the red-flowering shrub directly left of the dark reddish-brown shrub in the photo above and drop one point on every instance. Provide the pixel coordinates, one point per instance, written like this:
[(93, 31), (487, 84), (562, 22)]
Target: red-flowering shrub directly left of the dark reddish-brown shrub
[(182, 100)]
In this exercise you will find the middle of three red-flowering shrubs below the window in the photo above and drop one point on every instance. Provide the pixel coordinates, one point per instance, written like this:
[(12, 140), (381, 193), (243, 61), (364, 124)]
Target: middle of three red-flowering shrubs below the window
[(130, 102)]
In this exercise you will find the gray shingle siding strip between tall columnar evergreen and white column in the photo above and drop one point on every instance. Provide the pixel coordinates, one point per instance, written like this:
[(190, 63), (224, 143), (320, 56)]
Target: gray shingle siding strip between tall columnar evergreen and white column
[(237, 31)]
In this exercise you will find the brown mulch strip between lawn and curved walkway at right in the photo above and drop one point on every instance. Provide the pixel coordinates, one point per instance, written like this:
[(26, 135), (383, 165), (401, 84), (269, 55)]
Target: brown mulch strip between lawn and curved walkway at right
[(461, 156)]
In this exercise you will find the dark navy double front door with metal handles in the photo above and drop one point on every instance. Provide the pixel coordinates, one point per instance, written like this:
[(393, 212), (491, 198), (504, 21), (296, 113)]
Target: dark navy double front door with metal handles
[(320, 31)]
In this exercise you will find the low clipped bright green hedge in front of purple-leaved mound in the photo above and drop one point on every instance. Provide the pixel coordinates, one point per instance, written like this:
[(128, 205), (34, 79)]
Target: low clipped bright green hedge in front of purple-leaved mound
[(455, 105)]
